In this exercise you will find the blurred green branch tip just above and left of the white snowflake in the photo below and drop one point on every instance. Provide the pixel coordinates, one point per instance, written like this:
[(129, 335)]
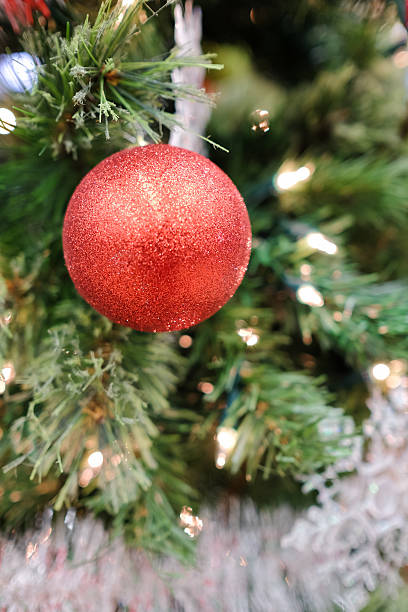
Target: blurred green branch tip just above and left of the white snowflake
[(280, 418)]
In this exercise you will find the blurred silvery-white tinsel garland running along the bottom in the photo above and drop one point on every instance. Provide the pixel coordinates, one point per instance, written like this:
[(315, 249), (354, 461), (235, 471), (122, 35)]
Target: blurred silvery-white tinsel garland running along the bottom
[(238, 567)]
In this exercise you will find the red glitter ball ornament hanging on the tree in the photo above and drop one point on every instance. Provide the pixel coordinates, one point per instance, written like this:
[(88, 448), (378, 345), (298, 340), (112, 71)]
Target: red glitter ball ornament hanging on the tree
[(156, 238)]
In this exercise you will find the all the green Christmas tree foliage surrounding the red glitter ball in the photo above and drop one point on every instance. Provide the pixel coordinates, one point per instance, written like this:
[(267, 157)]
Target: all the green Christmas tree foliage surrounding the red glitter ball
[(85, 385)]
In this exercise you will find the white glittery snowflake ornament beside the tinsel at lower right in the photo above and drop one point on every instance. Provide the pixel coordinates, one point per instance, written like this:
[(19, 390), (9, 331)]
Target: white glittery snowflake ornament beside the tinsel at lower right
[(356, 538)]
